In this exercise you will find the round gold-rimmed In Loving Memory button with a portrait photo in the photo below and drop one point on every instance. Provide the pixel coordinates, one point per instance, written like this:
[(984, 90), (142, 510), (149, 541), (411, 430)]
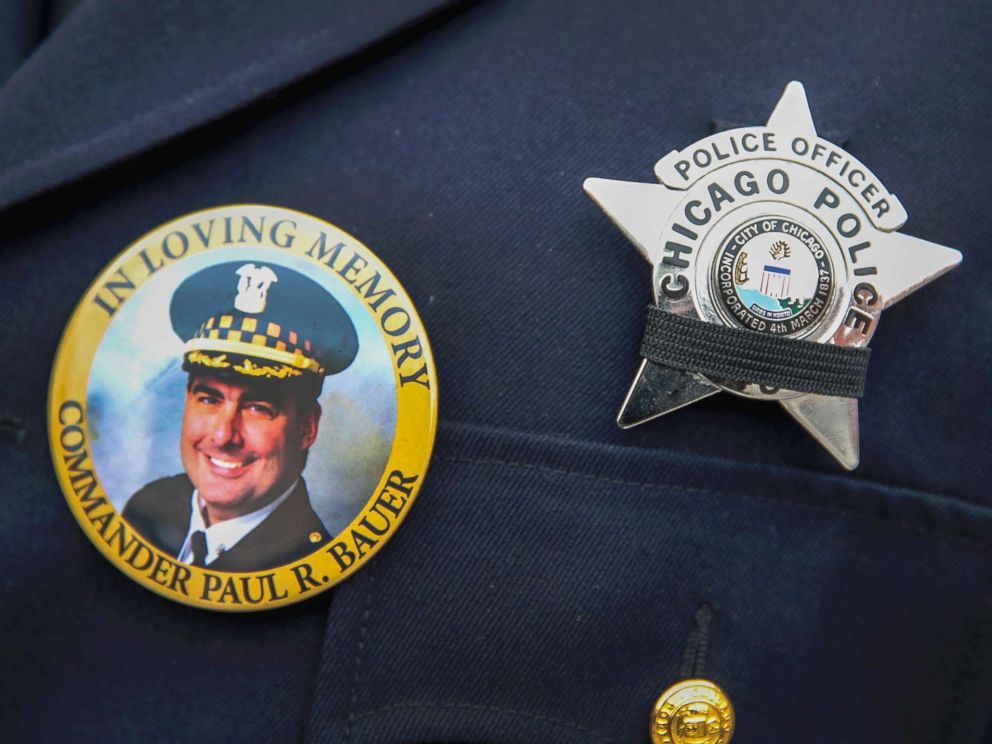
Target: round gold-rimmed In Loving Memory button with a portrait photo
[(242, 407)]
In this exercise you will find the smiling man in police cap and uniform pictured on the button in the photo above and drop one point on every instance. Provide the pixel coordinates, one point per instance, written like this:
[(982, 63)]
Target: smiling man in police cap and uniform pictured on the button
[(258, 342)]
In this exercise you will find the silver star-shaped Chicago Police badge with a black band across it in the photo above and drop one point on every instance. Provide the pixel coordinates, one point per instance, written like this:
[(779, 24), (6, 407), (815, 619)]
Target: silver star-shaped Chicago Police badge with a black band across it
[(774, 253)]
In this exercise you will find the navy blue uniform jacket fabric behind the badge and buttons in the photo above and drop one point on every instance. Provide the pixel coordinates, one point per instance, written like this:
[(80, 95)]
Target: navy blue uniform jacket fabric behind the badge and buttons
[(544, 586)]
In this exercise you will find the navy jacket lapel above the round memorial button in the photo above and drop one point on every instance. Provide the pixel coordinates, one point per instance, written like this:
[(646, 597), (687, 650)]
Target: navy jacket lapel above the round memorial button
[(117, 78)]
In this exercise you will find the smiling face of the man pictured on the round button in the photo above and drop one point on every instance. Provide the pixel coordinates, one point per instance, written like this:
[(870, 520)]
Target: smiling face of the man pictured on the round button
[(241, 445)]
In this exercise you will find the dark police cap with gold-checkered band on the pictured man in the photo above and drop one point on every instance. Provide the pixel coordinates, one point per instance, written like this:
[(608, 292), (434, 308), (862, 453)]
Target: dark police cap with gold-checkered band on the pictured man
[(261, 322)]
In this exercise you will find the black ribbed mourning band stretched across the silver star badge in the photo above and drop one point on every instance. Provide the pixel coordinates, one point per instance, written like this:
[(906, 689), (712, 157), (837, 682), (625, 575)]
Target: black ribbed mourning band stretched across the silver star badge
[(743, 355)]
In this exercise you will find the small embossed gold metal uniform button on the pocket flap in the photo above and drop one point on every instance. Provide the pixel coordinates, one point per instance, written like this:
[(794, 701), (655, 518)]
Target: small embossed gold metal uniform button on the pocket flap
[(693, 711)]
